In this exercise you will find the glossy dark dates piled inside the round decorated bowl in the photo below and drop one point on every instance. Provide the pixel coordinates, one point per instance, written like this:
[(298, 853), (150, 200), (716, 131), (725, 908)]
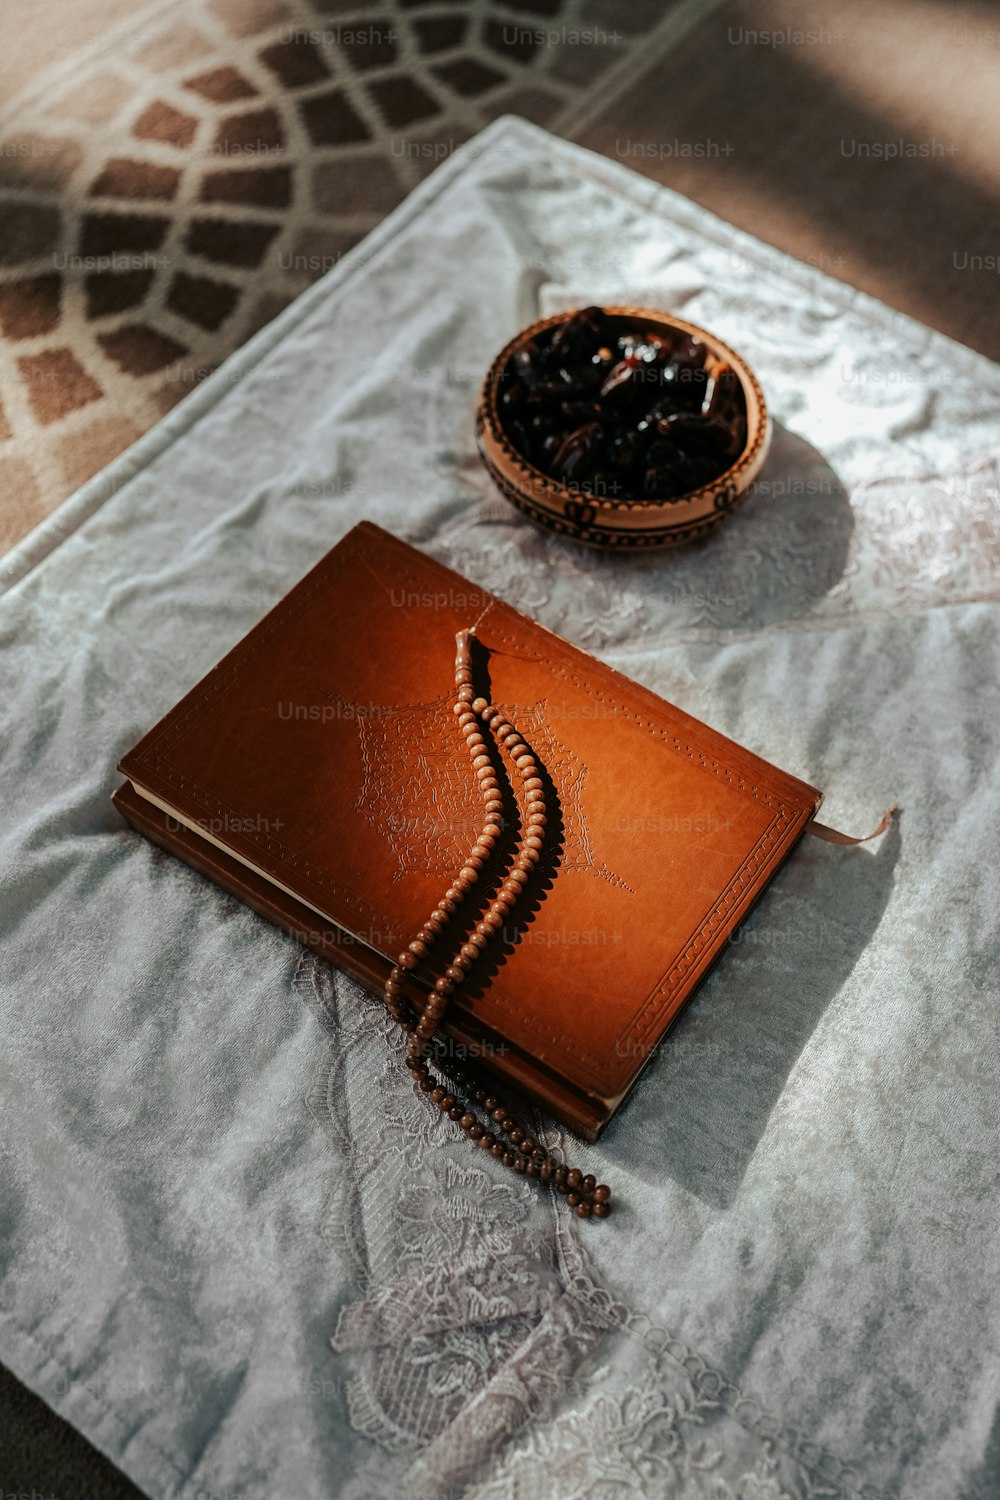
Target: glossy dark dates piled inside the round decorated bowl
[(615, 410)]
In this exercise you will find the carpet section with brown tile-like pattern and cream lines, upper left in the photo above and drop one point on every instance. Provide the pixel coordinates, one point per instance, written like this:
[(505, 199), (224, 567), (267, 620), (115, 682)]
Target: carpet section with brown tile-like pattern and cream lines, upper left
[(167, 191)]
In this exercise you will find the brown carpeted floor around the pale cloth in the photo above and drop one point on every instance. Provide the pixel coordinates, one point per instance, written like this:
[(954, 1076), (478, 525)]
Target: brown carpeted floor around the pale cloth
[(175, 173)]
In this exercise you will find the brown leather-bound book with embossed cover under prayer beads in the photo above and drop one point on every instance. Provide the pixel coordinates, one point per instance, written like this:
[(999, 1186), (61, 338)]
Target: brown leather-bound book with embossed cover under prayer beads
[(319, 775)]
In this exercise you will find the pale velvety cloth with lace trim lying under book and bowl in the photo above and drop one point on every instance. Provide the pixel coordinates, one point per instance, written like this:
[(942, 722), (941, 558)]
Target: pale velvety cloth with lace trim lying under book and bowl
[(236, 1252)]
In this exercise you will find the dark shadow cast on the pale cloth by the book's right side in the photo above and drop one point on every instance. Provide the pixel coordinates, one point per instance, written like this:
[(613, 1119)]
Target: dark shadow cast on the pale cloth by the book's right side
[(704, 1103)]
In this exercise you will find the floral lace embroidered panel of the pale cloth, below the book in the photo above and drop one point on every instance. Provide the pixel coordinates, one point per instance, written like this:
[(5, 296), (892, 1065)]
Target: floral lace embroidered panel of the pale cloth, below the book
[(487, 1361)]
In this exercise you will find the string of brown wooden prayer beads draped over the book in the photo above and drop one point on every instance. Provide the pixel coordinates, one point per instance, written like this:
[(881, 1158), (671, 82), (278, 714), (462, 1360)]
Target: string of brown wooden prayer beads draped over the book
[(506, 1141)]
